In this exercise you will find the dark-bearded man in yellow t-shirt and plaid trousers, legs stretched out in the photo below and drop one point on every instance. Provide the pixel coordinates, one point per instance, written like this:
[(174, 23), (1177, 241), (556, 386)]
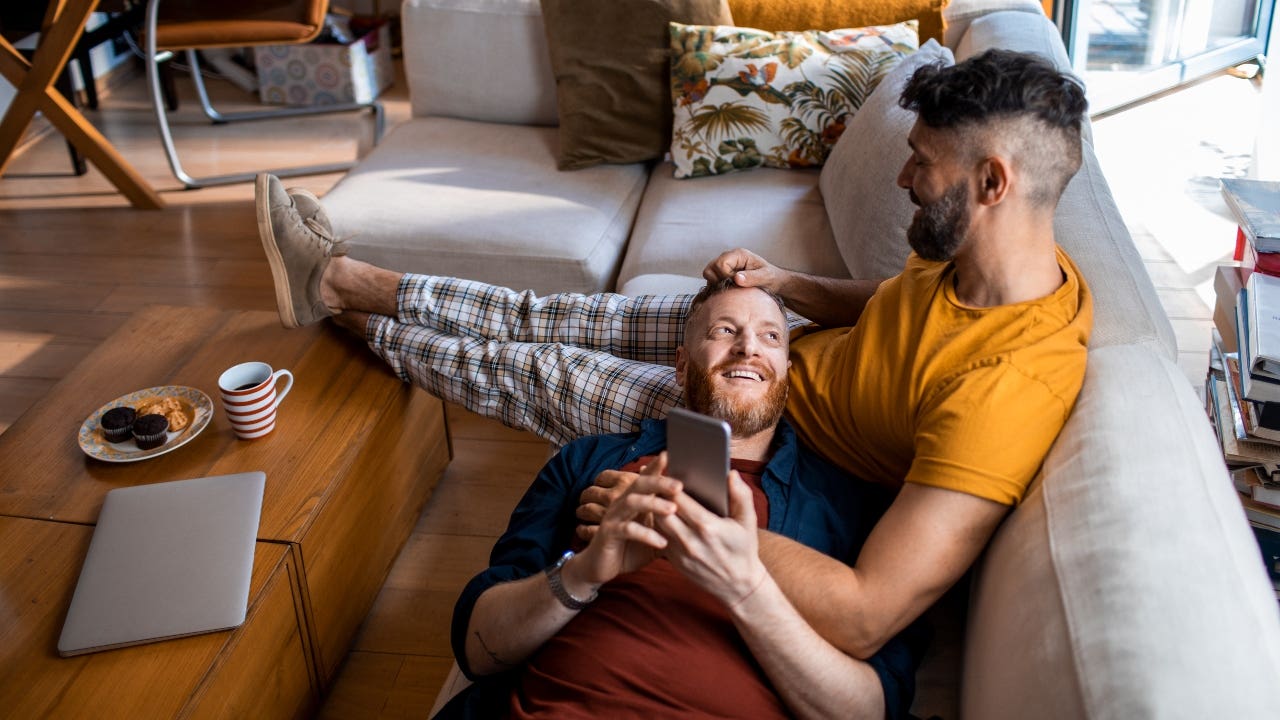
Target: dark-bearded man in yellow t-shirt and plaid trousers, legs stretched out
[(948, 382)]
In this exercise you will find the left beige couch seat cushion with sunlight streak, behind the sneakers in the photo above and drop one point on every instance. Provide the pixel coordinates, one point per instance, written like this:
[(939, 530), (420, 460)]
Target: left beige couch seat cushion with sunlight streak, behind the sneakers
[(486, 202)]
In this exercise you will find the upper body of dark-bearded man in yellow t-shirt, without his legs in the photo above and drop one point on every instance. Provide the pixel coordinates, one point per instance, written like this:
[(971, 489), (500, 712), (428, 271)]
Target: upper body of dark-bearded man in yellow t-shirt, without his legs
[(956, 377)]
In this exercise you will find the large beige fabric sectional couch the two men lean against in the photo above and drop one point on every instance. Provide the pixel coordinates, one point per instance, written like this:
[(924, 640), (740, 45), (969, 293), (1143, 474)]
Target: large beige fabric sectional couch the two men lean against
[(1127, 585)]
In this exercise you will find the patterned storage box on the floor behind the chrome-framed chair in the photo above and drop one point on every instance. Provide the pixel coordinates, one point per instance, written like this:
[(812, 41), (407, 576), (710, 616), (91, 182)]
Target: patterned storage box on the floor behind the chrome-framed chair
[(326, 75)]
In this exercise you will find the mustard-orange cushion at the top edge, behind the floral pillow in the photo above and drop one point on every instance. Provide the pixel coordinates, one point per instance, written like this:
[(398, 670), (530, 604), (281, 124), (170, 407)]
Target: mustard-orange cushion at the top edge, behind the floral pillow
[(829, 15)]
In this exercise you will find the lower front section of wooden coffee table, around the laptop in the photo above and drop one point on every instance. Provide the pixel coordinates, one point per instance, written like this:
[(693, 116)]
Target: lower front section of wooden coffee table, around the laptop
[(259, 671)]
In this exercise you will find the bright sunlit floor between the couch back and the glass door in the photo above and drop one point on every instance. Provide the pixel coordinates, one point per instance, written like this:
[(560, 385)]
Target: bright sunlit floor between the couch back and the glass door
[(1163, 161)]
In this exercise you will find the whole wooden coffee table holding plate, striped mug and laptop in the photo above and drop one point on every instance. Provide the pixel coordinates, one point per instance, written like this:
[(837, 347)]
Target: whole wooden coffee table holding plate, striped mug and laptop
[(351, 463)]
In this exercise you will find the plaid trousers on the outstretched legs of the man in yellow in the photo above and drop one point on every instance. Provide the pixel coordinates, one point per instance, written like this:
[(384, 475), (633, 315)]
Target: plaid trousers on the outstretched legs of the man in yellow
[(561, 367)]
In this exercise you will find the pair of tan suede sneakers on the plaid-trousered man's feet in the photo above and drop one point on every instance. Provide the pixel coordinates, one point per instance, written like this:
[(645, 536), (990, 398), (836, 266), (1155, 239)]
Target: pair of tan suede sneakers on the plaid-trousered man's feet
[(298, 248)]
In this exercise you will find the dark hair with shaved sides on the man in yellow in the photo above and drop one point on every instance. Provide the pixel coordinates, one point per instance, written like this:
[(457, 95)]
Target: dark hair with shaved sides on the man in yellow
[(1017, 102)]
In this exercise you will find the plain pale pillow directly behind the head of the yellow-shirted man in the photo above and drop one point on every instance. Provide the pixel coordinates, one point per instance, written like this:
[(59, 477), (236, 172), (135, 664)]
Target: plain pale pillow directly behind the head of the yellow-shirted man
[(868, 212)]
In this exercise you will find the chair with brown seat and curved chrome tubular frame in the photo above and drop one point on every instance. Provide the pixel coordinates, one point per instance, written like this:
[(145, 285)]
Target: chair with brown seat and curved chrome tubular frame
[(194, 25)]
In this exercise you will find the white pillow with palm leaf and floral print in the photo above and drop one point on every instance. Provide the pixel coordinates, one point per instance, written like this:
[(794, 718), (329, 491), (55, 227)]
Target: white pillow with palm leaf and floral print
[(747, 98)]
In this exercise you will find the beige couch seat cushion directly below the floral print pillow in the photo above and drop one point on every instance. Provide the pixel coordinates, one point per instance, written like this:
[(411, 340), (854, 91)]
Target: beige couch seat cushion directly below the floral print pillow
[(684, 225)]
